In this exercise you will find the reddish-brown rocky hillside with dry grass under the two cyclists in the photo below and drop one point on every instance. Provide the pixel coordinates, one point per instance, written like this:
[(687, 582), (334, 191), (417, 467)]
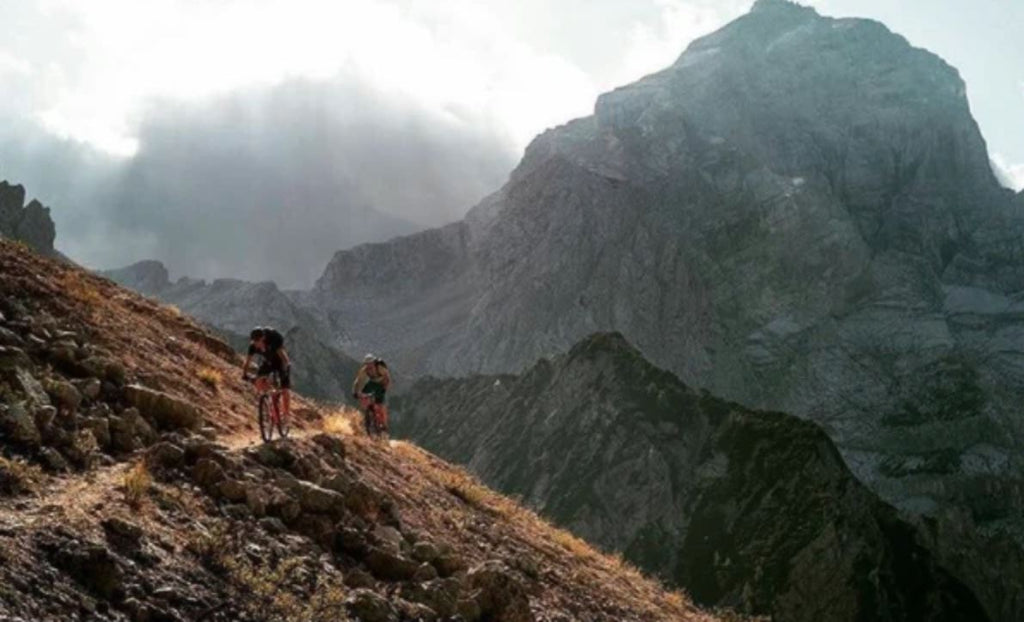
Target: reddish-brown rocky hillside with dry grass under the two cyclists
[(103, 390)]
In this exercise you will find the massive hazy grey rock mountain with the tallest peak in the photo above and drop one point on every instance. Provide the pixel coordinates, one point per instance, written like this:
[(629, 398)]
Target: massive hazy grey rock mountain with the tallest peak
[(799, 215)]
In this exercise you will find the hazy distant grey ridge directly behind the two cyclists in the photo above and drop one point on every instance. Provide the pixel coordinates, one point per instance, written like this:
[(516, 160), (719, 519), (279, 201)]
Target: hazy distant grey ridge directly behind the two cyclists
[(233, 308)]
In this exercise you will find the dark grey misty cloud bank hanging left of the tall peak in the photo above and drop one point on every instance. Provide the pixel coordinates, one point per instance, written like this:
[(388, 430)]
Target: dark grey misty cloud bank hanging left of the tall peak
[(265, 184)]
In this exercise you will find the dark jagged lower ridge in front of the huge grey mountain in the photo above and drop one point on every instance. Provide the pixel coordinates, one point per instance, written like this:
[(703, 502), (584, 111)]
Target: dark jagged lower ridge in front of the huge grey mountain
[(748, 510)]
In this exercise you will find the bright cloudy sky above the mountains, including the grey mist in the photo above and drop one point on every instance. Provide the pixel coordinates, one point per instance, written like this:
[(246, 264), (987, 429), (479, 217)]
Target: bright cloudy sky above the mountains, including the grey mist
[(194, 131)]
